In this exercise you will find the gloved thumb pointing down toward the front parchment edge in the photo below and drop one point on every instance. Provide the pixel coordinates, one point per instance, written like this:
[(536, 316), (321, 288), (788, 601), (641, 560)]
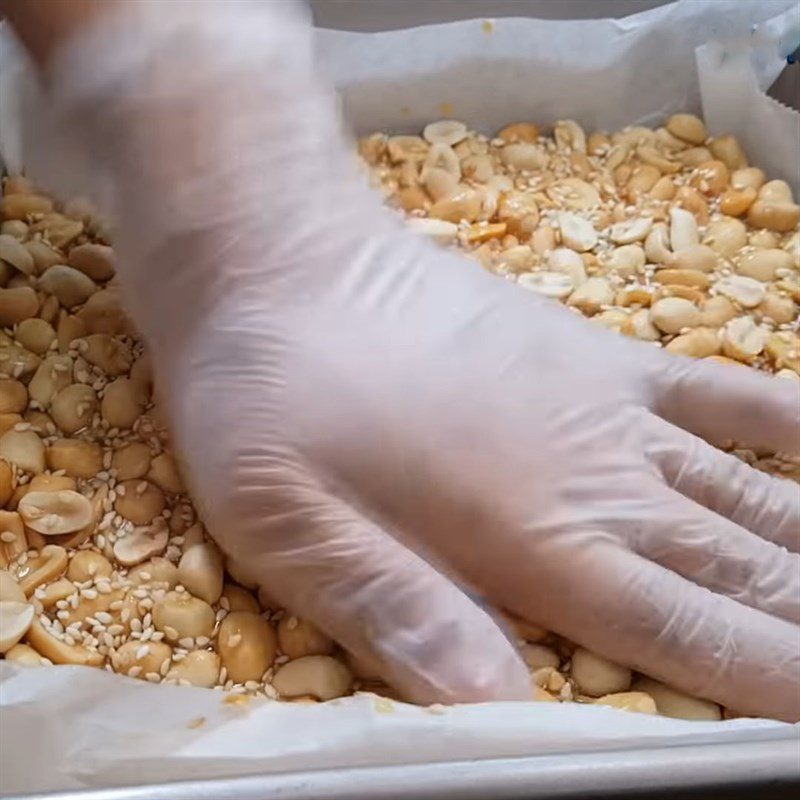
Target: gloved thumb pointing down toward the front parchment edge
[(383, 603)]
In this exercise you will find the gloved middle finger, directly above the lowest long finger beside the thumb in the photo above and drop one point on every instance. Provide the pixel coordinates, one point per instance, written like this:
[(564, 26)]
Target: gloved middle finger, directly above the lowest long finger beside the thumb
[(714, 552)]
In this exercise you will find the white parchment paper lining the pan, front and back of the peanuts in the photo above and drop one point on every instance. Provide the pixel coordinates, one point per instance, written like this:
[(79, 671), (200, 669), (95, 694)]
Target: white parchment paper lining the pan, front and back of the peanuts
[(71, 727)]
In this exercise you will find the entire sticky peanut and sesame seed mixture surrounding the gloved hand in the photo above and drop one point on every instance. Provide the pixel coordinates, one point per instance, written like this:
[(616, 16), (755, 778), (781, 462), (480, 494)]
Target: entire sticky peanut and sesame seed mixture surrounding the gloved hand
[(664, 235)]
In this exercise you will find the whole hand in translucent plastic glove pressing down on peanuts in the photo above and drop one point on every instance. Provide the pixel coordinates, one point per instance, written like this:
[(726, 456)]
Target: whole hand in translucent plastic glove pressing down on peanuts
[(369, 421)]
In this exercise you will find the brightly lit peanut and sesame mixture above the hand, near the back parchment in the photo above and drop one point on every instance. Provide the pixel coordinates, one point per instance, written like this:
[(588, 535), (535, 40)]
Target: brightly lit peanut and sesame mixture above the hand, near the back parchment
[(664, 235)]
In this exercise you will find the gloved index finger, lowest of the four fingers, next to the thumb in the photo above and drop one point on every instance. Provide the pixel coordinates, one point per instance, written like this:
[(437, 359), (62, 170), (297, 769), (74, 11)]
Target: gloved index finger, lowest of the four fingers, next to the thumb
[(637, 613)]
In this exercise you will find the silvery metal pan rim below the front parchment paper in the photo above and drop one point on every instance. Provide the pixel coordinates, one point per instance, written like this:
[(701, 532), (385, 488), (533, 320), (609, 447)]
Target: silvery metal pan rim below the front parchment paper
[(769, 768)]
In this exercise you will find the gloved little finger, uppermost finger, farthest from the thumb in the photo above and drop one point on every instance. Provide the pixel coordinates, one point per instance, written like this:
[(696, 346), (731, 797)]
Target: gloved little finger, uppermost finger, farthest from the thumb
[(721, 403)]
